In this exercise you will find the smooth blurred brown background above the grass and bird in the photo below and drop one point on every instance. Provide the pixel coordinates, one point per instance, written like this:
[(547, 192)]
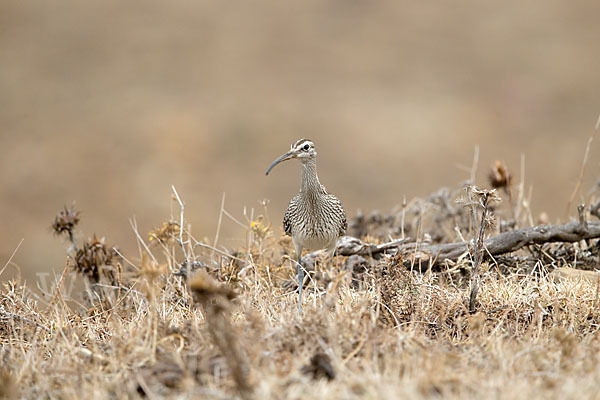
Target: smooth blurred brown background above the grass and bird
[(109, 103)]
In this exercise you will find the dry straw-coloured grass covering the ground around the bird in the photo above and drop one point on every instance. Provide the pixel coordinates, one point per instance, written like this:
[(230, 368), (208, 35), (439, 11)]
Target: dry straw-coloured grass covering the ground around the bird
[(234, 330)]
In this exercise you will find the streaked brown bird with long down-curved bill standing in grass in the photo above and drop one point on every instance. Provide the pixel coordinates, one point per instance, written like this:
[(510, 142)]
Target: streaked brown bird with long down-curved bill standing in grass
[(315, 219)]
